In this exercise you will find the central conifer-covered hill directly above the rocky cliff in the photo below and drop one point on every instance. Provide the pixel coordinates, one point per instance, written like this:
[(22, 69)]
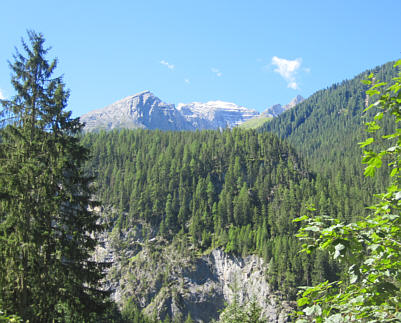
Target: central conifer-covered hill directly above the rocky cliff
[(239, 190)]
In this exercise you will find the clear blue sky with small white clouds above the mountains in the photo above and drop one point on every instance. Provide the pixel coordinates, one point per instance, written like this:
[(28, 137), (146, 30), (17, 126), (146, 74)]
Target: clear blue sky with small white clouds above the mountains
[(253, 53)]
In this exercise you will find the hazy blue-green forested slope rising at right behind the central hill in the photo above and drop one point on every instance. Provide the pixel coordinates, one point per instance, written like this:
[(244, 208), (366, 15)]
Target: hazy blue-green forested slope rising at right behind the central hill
[(327, 126)]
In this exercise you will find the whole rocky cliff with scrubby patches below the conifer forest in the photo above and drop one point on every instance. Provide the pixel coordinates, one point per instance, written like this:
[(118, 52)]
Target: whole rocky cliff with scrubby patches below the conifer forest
[(167, 279)]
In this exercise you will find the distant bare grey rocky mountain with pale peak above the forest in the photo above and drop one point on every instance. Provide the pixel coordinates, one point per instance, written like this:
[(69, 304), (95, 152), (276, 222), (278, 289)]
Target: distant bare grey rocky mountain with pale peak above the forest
[(145, 110)]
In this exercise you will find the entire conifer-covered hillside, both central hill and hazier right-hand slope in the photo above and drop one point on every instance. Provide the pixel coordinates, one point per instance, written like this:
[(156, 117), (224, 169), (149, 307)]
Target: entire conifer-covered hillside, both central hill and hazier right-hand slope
[(239, 190)]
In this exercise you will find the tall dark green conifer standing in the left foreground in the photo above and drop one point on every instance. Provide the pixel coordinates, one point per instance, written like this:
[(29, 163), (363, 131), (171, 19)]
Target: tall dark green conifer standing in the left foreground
[(46, 223)]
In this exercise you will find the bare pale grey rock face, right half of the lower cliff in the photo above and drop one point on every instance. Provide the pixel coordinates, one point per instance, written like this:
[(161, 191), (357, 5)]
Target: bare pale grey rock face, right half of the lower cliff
[(231, 276)]
